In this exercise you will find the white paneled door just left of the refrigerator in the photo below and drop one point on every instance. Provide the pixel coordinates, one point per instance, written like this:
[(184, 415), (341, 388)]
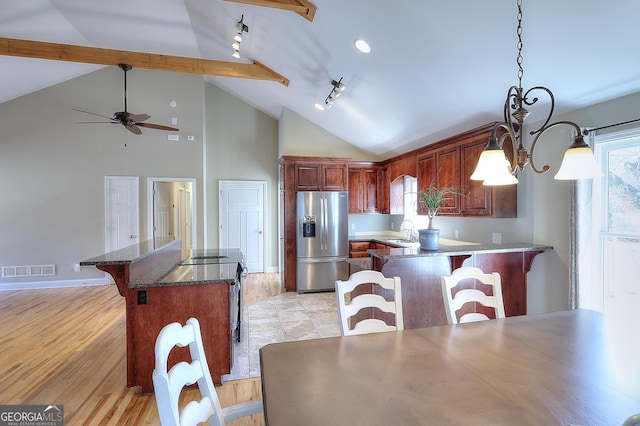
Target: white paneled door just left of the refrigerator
[(242, 220)]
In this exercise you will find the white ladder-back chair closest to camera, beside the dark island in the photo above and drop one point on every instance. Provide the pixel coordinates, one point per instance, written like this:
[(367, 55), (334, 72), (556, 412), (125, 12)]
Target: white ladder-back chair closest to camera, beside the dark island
[(168, 384)]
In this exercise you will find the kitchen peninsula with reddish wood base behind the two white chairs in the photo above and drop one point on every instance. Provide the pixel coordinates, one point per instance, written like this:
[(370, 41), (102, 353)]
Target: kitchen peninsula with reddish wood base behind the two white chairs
[(420, 273)]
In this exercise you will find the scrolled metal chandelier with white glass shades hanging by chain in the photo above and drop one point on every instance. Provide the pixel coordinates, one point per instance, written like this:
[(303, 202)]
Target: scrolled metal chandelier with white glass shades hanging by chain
[(495, 168)]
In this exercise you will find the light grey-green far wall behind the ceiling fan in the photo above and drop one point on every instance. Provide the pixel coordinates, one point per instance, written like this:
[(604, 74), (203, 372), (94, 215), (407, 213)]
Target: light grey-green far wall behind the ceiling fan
[(52, 209)]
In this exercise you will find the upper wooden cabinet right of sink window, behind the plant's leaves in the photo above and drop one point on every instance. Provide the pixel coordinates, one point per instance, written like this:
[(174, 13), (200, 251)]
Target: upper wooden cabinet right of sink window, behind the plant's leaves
[(441, 168)]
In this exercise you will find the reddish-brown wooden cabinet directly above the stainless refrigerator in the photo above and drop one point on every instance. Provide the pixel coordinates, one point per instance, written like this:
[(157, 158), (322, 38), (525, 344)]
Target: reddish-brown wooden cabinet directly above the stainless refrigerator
[(318, 173)]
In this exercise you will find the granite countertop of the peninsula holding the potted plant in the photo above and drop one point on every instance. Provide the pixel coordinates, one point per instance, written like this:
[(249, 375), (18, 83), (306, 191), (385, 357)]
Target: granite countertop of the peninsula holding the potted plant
[(456, 250)]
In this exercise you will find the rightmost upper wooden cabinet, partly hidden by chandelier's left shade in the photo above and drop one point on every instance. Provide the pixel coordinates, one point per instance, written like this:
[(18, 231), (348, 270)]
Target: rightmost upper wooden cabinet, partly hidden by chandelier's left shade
[(481, 200)]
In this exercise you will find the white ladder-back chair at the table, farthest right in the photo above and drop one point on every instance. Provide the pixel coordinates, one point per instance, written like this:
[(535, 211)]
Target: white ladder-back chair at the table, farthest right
[(455, 302)]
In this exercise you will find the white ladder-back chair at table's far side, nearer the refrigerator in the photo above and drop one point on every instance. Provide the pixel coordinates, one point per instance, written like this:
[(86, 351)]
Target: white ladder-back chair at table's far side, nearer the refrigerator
[(357, 302)]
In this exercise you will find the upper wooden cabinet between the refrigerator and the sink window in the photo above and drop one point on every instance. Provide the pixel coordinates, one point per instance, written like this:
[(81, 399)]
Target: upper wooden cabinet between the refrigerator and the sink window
[(363, 189)]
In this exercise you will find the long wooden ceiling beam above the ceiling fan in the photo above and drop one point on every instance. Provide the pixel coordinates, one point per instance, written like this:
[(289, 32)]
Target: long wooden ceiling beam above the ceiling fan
[(94, 55)]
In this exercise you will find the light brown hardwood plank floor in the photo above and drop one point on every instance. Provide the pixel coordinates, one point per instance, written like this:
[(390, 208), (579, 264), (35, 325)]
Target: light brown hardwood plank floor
[(67, 346)]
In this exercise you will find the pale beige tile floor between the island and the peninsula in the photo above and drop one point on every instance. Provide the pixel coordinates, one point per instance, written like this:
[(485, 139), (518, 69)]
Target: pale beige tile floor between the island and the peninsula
[(283, 318)]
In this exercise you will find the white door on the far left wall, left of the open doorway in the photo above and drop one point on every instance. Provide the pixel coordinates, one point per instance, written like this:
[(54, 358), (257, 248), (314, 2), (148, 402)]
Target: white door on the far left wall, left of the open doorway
[(121, 212)]
